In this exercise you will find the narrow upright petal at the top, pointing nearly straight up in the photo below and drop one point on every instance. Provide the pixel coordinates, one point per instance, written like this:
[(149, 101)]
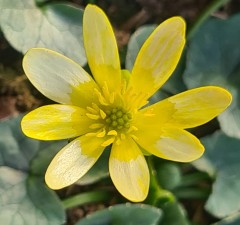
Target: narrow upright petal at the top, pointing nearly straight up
[(101, 47)]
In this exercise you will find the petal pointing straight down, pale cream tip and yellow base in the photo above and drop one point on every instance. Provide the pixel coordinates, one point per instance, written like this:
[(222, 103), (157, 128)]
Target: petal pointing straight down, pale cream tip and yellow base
[(129, 171)]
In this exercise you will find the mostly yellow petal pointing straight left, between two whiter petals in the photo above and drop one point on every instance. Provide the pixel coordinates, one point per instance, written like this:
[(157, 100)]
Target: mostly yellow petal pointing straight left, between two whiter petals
[(55, 122)]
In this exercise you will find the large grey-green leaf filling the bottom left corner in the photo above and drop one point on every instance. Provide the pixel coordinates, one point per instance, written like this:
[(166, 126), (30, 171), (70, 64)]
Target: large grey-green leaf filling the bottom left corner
[(26, 201)]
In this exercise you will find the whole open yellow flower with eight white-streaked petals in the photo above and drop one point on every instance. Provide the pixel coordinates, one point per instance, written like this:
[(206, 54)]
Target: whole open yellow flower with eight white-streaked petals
[(110, 109)]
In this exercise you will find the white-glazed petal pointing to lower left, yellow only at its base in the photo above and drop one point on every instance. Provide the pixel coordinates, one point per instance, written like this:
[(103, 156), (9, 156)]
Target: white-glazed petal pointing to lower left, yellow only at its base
[(73, 161)]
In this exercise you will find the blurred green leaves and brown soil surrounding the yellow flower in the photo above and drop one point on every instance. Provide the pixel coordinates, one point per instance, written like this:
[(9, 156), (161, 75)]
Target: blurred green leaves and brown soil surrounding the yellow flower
[(204, 192)]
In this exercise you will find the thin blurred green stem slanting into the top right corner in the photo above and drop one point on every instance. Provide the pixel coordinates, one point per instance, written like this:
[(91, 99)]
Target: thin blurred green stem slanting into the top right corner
[(204, 15)]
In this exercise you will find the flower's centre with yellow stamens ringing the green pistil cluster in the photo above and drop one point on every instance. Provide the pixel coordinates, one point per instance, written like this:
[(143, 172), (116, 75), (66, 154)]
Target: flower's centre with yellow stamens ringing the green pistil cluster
[(111, 119)]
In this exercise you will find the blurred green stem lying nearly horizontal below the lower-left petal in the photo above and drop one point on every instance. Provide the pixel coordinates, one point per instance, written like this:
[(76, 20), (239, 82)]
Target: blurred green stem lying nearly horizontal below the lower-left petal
[(85, 198)]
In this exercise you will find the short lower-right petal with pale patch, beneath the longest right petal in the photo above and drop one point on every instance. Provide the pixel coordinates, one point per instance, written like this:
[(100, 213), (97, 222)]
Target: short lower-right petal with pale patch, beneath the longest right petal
[(172, 144)]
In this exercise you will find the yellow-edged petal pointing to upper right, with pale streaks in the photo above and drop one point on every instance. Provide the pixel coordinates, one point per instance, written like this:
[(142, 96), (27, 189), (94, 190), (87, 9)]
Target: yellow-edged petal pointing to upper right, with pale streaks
[(158, 56)]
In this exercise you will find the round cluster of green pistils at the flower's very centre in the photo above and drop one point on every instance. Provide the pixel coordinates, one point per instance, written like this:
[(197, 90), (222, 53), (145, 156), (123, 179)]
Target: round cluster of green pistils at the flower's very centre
[(118, 119)]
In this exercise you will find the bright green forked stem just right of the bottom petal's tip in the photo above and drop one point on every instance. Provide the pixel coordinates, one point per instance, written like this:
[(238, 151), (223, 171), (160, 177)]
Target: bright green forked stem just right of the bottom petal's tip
[(157, 196)]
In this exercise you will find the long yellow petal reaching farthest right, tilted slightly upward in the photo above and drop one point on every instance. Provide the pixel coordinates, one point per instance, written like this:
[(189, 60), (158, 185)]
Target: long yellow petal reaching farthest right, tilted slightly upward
[(187, 109)]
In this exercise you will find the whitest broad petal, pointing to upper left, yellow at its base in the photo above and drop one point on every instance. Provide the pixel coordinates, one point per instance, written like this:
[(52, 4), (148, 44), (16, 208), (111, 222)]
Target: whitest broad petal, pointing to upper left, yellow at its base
[(58, 77)]
